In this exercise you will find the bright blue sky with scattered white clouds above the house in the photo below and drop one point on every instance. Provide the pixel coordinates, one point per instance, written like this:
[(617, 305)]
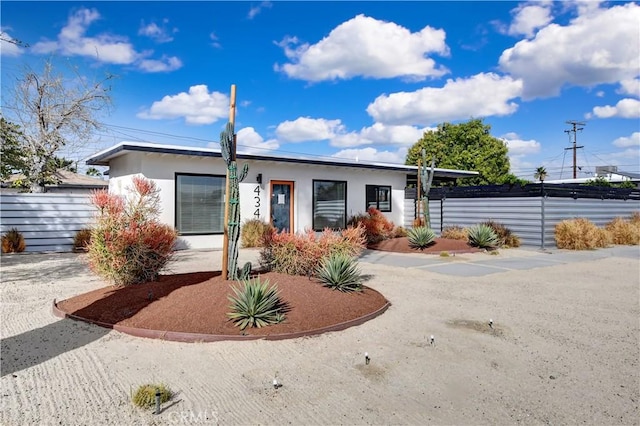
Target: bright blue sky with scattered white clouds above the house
[(351, 79)]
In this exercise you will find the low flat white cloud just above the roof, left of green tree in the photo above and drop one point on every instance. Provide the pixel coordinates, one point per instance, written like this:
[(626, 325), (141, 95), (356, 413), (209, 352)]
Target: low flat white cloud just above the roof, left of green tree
[(380, 134)]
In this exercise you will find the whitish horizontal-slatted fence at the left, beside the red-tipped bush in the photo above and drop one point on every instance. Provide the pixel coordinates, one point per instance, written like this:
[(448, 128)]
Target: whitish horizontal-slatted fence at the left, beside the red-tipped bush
[(48, 222)]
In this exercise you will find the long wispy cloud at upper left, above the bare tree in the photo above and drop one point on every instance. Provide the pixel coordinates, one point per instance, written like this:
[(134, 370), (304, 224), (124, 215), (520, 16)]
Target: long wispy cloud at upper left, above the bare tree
[(107, 48)]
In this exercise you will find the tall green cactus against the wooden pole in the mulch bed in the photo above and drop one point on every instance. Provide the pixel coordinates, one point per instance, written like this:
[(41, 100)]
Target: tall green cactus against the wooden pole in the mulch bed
[(227, 144)]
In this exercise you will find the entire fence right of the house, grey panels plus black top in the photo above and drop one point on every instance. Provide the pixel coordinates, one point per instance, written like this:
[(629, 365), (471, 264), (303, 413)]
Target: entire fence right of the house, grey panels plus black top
[(529, 215)]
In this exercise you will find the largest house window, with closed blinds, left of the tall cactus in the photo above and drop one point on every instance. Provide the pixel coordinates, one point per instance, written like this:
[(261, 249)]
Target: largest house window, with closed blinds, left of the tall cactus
[(200, 204)]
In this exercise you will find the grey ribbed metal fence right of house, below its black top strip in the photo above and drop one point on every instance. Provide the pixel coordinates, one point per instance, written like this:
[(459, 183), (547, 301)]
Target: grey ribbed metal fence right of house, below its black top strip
[(528, 217)]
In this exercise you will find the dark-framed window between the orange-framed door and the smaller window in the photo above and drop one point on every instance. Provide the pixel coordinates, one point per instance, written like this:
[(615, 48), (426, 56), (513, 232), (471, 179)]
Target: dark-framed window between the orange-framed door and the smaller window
[(329, 204)]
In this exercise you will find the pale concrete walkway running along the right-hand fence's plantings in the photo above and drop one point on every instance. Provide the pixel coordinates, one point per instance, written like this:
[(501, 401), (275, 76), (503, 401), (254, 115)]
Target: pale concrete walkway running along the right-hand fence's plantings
[(479, 264)]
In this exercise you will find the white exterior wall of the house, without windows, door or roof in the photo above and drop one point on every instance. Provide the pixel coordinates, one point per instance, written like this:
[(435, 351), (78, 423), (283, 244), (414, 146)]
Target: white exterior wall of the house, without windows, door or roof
[(162, 168)]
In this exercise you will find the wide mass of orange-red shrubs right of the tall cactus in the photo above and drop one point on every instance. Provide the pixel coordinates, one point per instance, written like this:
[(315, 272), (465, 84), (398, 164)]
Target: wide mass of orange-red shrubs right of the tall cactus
[(300, 254)]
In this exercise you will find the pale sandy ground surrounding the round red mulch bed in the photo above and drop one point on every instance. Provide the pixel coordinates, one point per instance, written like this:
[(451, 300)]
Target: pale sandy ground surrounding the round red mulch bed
[(565, 349)]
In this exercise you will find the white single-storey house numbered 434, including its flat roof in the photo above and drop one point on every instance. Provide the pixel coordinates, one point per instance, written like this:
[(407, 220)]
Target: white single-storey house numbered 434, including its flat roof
[(294, 194)]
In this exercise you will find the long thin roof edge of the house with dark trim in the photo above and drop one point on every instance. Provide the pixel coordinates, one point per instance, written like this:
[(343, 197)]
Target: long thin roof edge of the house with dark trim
[(103, 157)]
